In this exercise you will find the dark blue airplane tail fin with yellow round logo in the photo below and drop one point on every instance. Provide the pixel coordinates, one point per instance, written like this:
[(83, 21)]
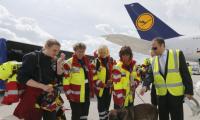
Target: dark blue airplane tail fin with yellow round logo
[(147, 24)]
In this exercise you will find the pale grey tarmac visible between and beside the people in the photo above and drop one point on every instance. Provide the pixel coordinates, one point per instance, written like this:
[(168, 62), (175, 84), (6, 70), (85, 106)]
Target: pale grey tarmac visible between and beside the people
[(7, 110)]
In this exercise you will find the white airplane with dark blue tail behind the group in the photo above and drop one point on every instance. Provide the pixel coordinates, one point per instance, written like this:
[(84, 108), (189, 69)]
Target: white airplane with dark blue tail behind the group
[(150, 26)]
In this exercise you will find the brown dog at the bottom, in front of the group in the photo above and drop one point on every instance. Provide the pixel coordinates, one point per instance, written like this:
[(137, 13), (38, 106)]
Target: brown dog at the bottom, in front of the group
[(138, 112)]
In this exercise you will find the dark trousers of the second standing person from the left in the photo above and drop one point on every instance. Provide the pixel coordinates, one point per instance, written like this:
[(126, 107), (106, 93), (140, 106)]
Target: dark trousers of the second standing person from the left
[(79, 110)]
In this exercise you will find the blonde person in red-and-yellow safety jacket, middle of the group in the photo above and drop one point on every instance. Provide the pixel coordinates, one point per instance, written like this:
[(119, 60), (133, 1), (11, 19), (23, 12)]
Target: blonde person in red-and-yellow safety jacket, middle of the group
[(103, 65)]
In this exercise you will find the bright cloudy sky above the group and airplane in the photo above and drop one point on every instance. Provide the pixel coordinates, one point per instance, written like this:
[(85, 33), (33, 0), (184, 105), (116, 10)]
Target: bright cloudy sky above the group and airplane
[(71, 21)]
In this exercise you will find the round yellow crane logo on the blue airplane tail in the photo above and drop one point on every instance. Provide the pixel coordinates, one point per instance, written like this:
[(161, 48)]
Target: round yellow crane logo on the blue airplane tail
[(145, 22)]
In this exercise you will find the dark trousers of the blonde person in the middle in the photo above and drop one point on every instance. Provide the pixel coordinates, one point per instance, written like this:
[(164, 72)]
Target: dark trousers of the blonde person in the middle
[(104, 104)]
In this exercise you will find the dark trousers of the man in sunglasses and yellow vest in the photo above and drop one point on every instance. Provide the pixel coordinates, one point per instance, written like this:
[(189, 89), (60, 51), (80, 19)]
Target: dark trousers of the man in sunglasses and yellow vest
[(172, 105)]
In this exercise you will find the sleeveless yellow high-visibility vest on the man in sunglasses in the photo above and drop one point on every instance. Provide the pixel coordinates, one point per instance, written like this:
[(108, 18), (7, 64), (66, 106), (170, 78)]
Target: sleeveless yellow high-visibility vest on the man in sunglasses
[(173, 82)]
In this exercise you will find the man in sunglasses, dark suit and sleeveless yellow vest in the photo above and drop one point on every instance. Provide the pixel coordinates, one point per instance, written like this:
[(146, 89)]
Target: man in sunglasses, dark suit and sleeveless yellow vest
[(171, 79)]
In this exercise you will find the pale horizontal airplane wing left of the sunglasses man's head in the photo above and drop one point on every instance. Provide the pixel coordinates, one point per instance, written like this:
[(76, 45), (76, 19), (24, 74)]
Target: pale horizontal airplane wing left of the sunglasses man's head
[(137, 45)]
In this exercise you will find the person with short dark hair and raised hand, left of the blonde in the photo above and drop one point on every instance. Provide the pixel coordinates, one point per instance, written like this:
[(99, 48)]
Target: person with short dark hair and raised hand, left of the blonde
[(78, 83)]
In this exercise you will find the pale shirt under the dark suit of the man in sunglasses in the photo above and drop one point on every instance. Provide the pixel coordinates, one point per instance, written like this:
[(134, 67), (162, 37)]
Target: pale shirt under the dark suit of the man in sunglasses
[(162, 61)]
